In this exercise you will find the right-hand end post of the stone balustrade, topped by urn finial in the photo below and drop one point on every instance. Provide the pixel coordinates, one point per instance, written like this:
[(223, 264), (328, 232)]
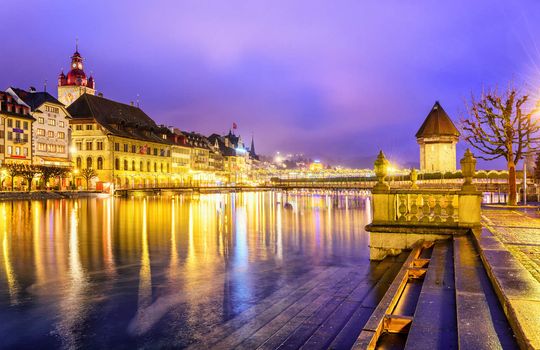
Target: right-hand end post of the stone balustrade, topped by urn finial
[(470, 199)]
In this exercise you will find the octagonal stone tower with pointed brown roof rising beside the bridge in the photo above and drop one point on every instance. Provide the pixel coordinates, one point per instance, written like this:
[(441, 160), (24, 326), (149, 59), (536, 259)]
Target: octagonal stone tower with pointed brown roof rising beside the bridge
[(437, 138)]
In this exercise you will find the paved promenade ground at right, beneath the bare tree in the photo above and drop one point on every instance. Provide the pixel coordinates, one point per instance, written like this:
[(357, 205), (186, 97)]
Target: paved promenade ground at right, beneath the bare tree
[(519, 231)]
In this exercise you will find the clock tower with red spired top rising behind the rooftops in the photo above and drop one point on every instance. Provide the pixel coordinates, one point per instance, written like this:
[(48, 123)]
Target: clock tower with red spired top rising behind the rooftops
[(75, 83)]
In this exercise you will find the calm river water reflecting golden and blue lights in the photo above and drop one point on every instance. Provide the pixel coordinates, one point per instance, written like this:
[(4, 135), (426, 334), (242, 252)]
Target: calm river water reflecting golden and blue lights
[(162, 271)]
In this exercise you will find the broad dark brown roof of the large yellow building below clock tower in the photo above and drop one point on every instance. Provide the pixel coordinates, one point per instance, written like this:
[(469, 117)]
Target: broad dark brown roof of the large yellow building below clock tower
[(118, 118)]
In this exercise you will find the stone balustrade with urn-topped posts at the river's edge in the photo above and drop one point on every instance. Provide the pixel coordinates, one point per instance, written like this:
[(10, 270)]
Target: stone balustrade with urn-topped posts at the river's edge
[(403, 216)]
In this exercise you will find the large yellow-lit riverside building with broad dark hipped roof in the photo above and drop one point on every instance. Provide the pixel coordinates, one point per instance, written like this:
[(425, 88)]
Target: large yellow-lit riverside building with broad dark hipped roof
[(123, 144)]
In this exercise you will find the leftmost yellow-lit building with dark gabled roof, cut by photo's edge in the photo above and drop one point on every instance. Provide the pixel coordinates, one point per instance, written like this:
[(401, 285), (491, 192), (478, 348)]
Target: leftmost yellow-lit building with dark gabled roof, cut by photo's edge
[(15, 131)]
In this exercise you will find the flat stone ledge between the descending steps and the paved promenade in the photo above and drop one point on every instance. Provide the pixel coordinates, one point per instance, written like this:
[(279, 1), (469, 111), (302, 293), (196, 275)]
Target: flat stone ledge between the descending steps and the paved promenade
[(516, 289)]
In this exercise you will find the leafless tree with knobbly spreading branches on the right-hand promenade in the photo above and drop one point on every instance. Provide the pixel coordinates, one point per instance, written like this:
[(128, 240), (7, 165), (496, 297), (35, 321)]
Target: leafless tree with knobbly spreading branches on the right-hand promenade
[(498, 127)]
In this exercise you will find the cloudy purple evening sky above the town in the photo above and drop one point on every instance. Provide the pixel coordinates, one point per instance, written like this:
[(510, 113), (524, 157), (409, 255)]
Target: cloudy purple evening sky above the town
[(336, 80)]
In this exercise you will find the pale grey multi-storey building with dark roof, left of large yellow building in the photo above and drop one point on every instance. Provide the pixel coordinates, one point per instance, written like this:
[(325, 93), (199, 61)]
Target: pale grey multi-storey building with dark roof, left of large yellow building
[(51, 131)]
